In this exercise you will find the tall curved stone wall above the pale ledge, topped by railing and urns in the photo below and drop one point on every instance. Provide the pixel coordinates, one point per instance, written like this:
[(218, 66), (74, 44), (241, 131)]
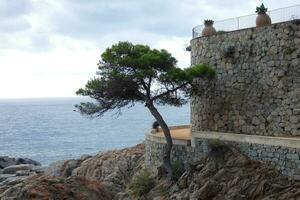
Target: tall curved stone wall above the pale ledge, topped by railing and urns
[(257, 89)]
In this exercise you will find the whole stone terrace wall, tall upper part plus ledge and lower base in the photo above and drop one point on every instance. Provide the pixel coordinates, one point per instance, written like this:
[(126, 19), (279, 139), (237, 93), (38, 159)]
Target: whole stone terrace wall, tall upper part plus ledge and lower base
[(254, 102)]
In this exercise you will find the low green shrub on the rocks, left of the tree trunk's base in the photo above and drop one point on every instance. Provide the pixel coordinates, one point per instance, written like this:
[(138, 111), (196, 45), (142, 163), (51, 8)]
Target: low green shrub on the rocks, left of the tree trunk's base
[(141, 184)]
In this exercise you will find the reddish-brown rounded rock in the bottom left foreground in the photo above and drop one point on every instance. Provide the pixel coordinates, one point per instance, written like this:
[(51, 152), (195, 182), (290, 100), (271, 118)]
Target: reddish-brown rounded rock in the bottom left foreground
[(45, 188)]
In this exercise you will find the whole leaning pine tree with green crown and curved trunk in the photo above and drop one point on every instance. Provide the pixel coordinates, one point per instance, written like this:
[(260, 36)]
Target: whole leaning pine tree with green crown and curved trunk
[(136, 73)]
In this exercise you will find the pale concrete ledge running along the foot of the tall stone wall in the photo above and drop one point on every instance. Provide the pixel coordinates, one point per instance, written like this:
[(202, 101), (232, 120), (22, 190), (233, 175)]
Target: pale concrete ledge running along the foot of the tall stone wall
[(290, 142)]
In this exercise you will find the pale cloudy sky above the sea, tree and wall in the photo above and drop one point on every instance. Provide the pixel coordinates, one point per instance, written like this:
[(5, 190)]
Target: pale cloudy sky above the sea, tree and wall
[(50, 48)]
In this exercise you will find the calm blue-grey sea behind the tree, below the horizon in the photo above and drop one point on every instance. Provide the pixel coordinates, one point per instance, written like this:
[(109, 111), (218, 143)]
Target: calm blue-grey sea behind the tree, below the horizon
[(48, 129)]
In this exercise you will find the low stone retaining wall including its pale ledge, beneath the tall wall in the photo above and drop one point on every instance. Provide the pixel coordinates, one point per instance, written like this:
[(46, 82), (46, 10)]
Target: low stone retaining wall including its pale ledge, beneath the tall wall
[(284, 157)]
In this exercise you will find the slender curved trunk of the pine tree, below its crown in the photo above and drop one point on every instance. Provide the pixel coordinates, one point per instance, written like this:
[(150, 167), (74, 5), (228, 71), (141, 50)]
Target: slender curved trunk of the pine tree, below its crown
[(166, 130)]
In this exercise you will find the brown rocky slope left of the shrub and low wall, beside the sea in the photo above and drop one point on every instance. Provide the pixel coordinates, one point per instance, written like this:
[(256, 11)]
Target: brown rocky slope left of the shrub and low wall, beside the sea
[(84, 178)]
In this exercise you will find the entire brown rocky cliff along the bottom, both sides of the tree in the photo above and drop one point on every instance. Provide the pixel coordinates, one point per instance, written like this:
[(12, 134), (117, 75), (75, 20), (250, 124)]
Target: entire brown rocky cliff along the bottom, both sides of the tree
[(223, 174)]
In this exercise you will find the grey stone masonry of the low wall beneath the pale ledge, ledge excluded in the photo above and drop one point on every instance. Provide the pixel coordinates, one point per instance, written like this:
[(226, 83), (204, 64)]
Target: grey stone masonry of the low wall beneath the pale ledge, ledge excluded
[(285, 159)]
